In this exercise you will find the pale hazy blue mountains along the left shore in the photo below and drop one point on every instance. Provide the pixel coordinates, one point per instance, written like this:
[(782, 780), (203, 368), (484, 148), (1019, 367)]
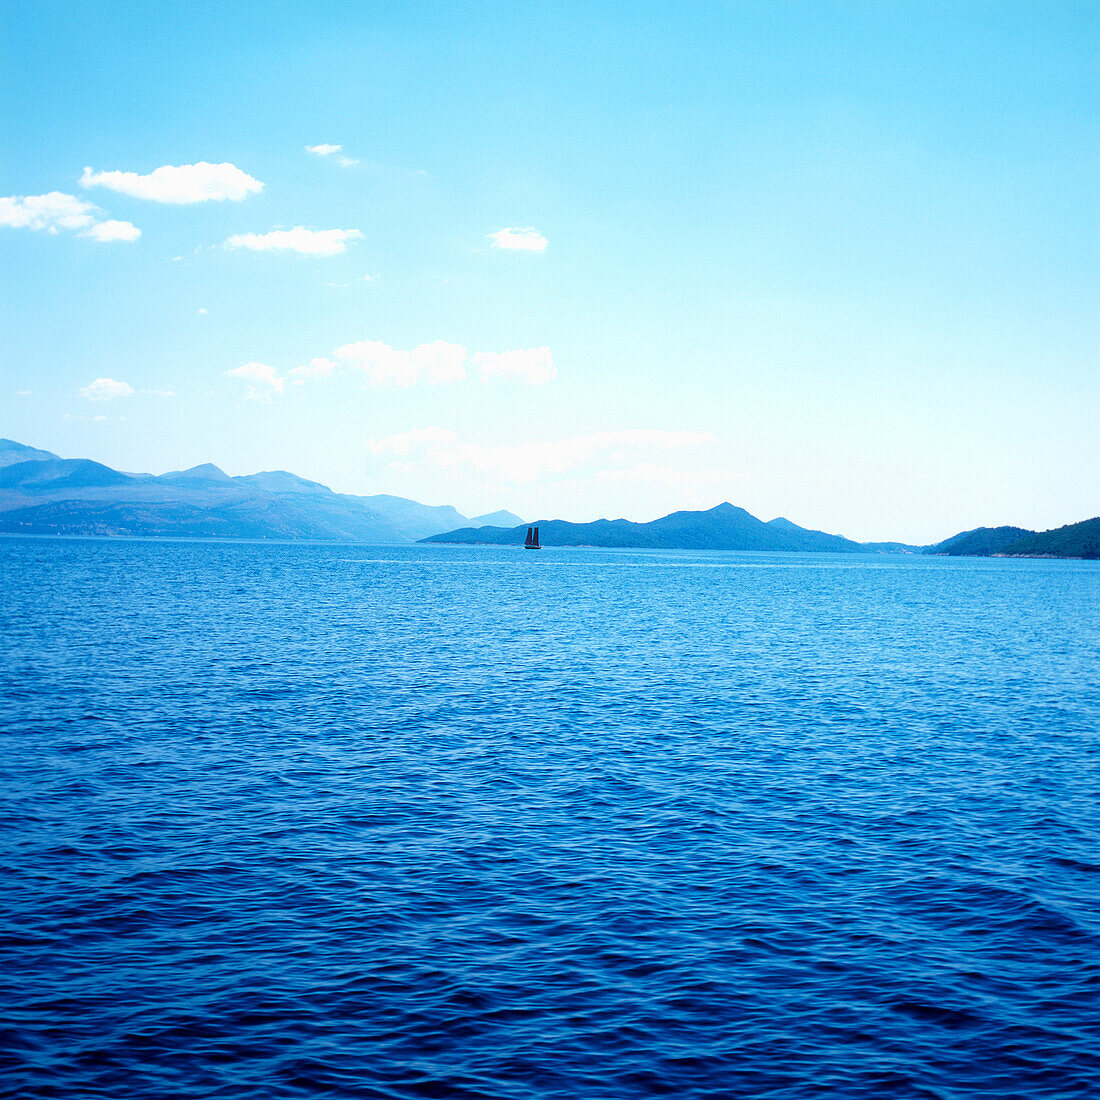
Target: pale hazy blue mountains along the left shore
[(43, 494)]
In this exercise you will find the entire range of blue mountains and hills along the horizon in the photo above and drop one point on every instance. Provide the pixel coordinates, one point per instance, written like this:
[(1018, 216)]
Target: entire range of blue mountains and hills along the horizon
[(45, 494)]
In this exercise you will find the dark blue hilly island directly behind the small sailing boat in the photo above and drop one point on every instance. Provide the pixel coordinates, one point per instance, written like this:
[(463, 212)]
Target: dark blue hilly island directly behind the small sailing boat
[(725, 527)]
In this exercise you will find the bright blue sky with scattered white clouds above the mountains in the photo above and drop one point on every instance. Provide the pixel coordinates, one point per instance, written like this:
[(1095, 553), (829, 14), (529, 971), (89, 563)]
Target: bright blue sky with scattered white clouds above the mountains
[(831, 261)]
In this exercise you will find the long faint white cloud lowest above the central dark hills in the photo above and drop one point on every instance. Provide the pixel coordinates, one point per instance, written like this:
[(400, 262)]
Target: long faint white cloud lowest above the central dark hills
[(441, 449)]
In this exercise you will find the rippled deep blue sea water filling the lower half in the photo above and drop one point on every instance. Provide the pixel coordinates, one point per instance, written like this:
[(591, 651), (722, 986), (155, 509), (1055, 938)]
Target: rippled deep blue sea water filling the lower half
[(336, 821)]
